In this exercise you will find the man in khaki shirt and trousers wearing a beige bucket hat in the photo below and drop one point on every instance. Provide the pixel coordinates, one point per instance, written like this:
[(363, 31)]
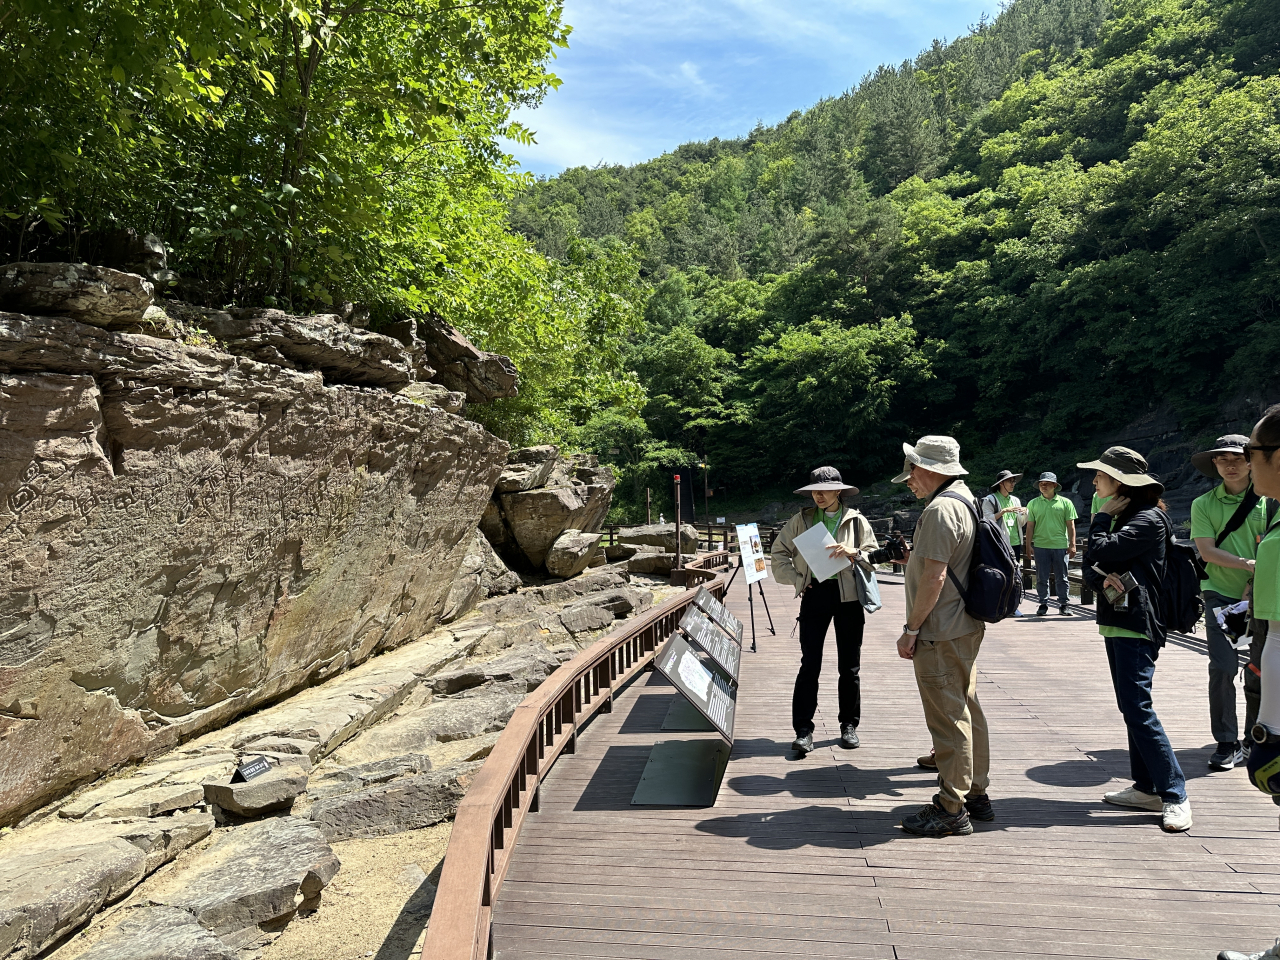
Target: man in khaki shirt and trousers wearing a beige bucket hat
[(943, 641)]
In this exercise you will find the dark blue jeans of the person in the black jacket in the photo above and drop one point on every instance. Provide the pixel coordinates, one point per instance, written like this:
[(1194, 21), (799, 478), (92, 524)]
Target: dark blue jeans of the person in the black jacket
[(1151, 757)]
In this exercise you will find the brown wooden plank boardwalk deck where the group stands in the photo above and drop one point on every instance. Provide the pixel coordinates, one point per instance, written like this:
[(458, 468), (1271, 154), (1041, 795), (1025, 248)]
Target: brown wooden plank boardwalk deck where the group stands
[(806, 858)]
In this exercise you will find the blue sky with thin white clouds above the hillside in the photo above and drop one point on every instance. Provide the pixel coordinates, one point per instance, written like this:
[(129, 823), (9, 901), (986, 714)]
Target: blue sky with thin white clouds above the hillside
[(644, 76)]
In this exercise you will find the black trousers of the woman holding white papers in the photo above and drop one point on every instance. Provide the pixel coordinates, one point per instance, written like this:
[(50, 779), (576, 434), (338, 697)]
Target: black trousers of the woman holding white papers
[(820, 606)]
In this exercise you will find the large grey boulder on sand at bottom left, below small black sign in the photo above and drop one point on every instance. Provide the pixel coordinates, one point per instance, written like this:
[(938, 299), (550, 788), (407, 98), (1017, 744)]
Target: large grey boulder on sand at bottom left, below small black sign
[(257, 877)]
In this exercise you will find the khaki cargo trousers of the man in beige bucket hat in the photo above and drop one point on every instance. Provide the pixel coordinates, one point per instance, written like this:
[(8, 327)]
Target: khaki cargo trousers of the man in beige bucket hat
[(947, 674)]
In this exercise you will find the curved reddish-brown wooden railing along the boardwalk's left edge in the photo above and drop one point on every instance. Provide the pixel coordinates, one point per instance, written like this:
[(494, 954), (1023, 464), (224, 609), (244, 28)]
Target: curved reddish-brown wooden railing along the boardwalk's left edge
[(506, 789)]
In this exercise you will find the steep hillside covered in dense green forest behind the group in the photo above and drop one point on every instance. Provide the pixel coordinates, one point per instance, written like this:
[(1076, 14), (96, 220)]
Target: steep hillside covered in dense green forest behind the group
[(1026, 237)]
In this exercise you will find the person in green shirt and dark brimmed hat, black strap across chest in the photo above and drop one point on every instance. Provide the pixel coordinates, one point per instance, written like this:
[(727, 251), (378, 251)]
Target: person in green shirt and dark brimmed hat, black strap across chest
[(1228, 577)]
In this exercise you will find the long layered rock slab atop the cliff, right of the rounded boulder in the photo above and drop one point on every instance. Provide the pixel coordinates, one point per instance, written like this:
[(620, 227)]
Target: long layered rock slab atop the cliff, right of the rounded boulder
[(340, 351)]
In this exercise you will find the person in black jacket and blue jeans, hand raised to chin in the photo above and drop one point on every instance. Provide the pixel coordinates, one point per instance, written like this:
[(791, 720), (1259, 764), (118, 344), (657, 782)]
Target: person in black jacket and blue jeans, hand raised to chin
[(1128, 537)]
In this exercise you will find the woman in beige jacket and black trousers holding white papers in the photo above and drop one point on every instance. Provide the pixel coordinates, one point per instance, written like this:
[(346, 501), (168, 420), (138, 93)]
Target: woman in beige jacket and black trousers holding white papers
[(831, 537)]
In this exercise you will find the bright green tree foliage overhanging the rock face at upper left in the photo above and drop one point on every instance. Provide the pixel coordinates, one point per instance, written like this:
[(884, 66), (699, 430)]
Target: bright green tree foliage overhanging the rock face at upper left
[(310, 153)]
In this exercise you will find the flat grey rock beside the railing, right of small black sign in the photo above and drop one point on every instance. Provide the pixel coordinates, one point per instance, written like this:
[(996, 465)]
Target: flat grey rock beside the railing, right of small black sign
[(400, 806)]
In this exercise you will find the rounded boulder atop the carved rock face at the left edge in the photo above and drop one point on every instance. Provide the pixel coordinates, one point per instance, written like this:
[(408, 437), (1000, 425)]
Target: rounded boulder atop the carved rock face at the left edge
[(92, 295)]
